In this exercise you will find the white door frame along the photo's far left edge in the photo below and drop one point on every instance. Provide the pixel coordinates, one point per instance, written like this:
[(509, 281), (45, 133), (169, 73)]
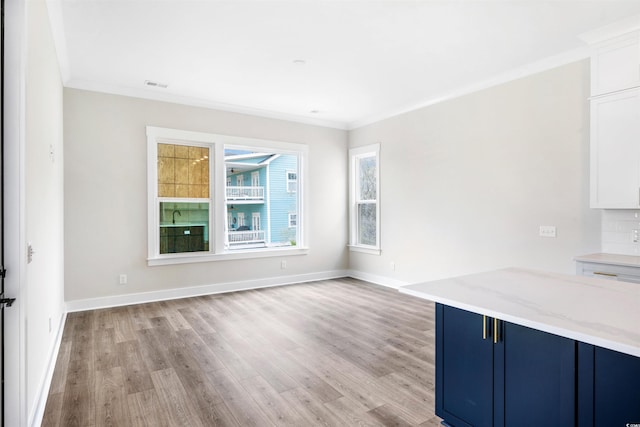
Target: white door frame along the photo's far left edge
[(14, 50)]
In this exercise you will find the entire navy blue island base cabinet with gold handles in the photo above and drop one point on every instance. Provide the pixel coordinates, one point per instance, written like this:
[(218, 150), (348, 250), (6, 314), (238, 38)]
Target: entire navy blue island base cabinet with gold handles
[(495, 373)]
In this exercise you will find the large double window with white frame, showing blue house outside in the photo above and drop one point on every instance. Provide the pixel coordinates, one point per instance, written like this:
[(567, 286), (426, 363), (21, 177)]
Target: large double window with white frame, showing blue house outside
[(202, 205)]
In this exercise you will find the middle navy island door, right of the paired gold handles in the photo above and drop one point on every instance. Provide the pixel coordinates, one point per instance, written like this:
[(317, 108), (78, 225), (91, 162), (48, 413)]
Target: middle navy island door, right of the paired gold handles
[(539, 378)]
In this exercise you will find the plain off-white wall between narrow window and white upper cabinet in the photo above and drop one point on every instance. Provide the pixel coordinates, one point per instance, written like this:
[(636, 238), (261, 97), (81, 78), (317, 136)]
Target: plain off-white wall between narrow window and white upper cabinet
[(466, 183)]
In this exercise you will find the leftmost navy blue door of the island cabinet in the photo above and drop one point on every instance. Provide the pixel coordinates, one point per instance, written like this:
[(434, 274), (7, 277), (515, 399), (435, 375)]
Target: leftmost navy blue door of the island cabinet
[(464, 369)]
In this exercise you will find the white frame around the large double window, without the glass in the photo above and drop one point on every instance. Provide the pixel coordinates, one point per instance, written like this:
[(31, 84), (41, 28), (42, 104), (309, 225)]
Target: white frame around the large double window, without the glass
[(218, 218)]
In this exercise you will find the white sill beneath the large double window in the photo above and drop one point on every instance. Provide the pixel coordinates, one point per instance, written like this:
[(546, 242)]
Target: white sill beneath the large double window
[(227, 256)]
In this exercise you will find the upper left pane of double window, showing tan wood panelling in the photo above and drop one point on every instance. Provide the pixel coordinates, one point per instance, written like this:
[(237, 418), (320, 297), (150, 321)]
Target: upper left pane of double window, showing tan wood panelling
[(183, 171)]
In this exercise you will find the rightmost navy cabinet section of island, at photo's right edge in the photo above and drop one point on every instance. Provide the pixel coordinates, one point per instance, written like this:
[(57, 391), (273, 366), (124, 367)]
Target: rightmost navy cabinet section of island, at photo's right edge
[(608, 388)]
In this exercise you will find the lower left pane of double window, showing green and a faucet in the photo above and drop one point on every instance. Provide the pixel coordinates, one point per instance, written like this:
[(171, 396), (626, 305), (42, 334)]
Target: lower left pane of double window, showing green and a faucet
[(184, 227)]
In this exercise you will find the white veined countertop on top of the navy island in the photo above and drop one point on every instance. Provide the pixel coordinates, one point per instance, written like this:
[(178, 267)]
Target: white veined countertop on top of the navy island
[(602, 312)]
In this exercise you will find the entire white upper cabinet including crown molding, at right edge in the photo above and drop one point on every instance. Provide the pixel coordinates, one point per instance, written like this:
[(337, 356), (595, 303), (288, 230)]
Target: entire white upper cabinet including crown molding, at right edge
[(615, 115)]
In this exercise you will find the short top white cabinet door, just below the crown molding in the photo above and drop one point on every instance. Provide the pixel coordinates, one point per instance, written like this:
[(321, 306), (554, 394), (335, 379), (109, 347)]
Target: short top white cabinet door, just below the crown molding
[(615, 64)]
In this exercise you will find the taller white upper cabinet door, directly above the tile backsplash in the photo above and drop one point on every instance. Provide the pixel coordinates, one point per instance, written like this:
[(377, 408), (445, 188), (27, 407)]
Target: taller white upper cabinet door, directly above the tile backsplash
[(615, 150)]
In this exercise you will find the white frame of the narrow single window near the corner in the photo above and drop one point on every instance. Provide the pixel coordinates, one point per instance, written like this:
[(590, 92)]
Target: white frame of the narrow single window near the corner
[(356, 154)]
